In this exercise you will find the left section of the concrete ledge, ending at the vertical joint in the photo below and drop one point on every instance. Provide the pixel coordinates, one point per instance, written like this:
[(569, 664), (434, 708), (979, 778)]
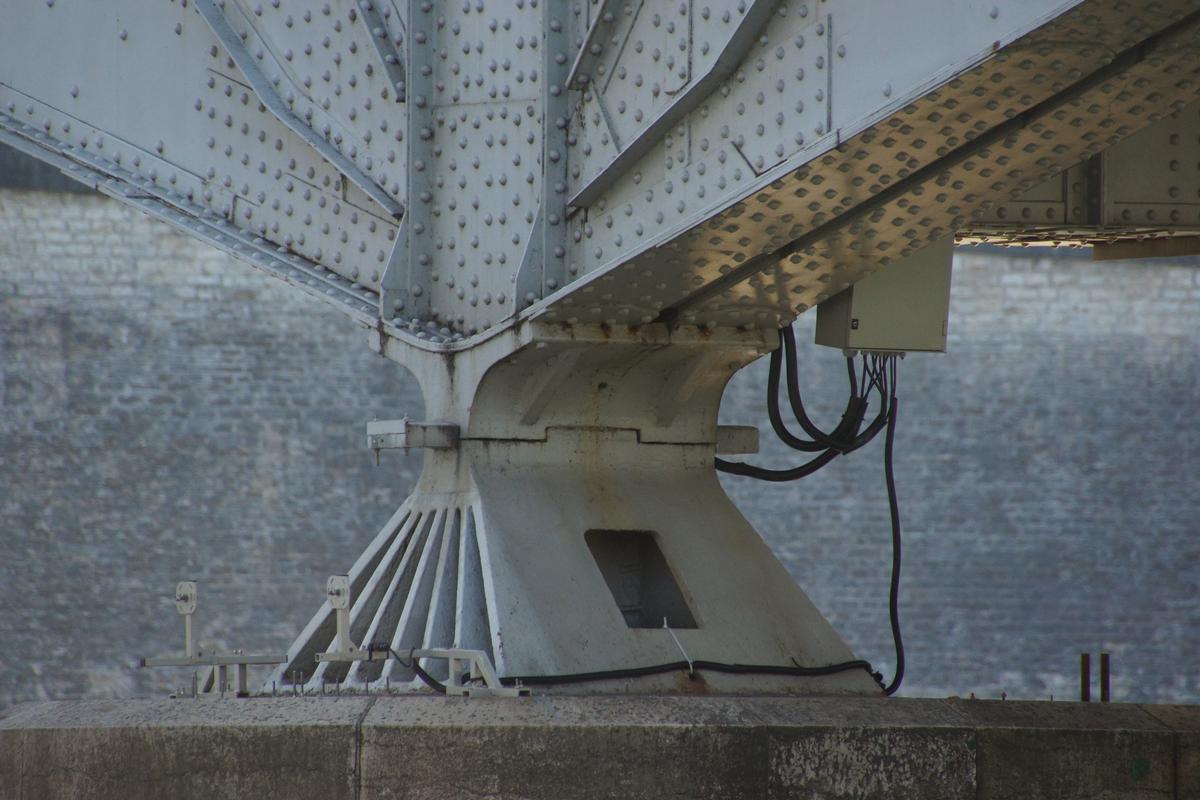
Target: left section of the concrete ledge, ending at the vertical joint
[(177, 749)]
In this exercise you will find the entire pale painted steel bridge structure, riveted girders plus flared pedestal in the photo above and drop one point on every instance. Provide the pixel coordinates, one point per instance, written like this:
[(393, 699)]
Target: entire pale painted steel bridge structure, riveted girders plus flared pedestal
[(605, 210)]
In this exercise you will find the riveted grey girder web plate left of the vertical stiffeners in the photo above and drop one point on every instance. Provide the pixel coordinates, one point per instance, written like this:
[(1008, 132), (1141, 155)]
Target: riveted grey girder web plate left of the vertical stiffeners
[(161, 104)]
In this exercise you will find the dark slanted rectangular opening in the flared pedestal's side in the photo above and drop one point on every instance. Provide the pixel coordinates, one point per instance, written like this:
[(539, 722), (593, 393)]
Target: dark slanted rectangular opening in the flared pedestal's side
[(639, 579)]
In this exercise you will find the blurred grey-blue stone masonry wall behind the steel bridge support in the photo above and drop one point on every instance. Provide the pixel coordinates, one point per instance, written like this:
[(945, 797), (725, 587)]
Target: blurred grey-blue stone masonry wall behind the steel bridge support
[(169, 413)]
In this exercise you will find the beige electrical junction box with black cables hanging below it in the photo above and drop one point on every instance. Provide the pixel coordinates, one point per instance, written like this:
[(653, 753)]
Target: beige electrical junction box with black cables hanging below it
[(903, 309)]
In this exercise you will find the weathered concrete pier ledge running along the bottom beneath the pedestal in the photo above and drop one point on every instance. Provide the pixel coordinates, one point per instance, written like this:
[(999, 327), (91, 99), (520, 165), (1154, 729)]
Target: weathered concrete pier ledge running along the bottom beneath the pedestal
[(557, 748)]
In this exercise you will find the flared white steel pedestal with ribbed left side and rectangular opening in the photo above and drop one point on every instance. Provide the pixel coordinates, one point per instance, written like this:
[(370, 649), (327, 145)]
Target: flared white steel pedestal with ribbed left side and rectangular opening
[(563, 434)]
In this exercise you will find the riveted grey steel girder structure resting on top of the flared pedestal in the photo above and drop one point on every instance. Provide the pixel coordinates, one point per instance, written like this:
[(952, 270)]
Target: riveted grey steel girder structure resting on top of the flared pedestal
[(795, 130)]
